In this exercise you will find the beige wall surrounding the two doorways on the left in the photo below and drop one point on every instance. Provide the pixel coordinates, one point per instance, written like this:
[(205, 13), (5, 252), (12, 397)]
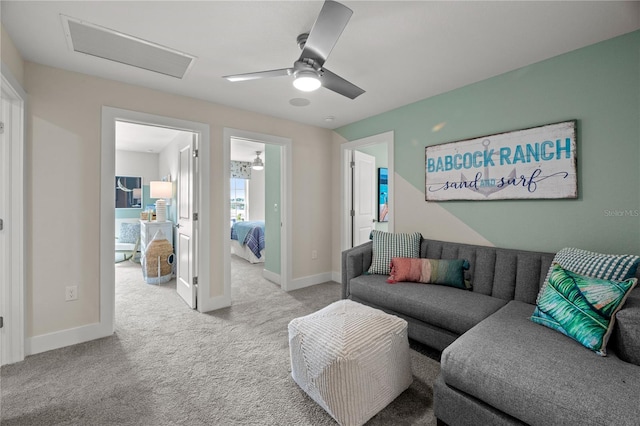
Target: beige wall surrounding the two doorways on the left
[(63, 184)]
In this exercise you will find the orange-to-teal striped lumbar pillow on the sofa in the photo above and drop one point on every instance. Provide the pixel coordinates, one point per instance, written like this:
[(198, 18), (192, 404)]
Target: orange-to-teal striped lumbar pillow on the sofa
[(429, 271)]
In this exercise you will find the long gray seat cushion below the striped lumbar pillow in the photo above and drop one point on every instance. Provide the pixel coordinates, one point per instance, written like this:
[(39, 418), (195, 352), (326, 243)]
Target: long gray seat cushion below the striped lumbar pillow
[(446, 307)]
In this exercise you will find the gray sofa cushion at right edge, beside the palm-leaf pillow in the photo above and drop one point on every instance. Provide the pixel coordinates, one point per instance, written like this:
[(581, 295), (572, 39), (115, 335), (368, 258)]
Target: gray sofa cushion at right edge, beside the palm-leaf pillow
[(626, 332)]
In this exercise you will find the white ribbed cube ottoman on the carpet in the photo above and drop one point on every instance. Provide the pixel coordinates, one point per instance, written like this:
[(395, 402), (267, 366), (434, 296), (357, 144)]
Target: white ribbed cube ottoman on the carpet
[(351, 359)]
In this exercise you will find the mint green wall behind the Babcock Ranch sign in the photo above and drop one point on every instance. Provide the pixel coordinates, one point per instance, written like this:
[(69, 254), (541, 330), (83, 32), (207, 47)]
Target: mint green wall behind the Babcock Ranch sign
[(598, 85)]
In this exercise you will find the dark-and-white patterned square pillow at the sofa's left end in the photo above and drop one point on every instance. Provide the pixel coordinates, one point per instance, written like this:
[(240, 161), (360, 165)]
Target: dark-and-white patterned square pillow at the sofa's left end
[(387, 246)]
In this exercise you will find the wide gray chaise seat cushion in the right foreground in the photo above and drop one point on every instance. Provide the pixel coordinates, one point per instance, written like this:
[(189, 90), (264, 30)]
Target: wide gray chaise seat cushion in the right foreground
[(539, 376)]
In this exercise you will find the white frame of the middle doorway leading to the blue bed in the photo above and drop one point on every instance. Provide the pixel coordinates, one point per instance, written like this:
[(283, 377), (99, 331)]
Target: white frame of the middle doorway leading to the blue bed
[(285, 203)]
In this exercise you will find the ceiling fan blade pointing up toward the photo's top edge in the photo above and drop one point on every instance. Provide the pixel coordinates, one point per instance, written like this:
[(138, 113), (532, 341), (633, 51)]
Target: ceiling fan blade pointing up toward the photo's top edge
[(326, 30)]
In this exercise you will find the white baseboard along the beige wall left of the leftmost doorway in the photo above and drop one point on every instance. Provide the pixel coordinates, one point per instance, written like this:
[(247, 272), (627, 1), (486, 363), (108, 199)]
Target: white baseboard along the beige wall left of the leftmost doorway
[(60, 339)]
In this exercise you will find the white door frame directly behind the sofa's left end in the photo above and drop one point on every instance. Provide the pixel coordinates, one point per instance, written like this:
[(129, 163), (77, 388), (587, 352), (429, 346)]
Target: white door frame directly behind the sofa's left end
[(347, 185)]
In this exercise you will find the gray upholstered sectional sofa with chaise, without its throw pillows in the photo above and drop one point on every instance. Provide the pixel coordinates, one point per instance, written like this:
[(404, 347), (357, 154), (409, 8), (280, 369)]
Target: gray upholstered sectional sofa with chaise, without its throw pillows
[(497, 366)]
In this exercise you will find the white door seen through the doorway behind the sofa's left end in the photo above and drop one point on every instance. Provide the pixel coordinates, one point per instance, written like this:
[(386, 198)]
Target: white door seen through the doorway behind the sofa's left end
[(364, 196)]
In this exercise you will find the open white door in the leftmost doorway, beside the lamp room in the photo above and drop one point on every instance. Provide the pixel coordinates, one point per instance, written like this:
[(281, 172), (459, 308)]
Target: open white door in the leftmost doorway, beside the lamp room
[(186, 273)]
